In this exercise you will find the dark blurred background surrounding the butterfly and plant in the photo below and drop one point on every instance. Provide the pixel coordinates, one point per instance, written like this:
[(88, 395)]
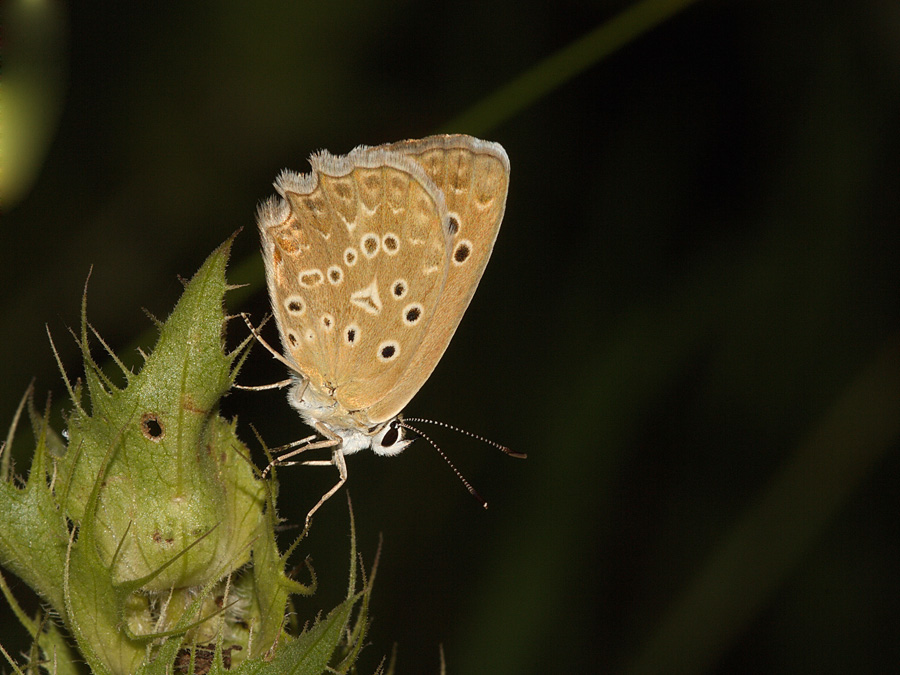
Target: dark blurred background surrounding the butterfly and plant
[(689, 322)]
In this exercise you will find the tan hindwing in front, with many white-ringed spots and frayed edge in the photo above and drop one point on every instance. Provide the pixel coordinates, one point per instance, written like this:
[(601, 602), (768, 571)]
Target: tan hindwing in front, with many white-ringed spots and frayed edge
[(357, 255)]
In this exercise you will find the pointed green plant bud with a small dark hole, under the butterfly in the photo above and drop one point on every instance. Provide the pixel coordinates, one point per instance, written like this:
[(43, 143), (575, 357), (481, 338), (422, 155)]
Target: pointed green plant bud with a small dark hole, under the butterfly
[(174, 474)]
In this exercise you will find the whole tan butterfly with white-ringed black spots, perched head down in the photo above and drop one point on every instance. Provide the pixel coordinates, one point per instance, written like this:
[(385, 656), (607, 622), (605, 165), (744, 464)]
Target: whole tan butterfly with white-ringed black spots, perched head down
[(371, 260)]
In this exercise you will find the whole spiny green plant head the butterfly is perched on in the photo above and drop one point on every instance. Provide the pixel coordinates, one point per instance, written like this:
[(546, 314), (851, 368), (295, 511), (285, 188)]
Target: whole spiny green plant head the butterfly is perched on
[(148, 533)]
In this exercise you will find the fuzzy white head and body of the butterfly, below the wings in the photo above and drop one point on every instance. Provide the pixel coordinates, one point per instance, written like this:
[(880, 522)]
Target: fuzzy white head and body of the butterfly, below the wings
[(354, 428)]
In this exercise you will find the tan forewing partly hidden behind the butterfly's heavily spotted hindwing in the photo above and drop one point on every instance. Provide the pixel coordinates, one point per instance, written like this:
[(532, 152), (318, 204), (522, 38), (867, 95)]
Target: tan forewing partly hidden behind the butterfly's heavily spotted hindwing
[(473, 176)]
